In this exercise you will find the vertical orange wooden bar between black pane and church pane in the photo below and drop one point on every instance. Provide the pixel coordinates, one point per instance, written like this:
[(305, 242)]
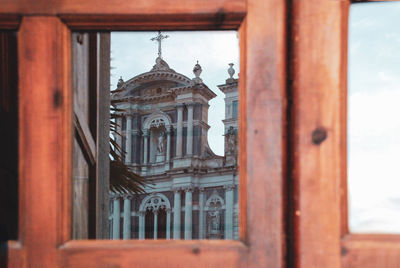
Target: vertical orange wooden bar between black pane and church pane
[(45, 138)]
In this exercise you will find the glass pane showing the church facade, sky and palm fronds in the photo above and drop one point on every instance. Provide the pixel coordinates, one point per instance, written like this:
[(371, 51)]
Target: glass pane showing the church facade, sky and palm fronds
[(173, 169)]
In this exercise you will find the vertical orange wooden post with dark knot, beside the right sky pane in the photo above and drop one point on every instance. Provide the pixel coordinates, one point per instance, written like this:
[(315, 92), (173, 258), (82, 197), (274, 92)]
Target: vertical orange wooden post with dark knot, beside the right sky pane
[(318, 43)]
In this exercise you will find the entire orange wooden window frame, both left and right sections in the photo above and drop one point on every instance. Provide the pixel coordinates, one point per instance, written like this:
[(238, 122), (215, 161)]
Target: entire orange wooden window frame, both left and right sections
[(293, 87)]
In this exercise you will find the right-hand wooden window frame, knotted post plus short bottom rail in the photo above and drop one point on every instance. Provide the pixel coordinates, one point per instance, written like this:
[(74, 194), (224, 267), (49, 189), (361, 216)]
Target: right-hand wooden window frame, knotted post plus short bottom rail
[(318, 145)]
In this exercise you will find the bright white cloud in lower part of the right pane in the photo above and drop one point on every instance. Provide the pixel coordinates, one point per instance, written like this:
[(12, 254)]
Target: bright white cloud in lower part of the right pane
[(374, 154)]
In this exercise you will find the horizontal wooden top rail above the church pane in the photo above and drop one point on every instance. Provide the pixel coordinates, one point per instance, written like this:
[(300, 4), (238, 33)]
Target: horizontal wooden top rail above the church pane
[(120, 14)]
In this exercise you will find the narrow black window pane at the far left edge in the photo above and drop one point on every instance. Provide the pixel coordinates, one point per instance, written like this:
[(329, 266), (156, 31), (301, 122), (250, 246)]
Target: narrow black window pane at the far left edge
[(8, 136)]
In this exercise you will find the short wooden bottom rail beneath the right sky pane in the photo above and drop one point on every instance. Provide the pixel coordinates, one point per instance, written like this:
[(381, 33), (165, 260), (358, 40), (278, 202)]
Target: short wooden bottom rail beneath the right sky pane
[(370, 251)]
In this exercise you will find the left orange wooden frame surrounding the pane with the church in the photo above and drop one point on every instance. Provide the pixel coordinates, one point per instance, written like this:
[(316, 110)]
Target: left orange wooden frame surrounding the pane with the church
[(46, 131)]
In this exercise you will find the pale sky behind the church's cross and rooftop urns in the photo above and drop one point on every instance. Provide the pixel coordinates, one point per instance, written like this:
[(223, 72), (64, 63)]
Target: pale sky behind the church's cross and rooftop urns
[(133, 53)]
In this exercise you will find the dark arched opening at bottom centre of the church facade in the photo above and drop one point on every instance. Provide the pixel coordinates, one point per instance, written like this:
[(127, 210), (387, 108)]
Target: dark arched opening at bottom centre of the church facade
[(155, 217)]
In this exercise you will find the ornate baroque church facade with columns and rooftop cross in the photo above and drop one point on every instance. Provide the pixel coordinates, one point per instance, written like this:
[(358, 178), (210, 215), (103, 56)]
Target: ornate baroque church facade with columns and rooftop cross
[(192, 192)]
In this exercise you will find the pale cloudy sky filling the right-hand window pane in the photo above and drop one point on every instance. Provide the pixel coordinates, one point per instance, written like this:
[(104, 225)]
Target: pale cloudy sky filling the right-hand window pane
[(373, 118)]
